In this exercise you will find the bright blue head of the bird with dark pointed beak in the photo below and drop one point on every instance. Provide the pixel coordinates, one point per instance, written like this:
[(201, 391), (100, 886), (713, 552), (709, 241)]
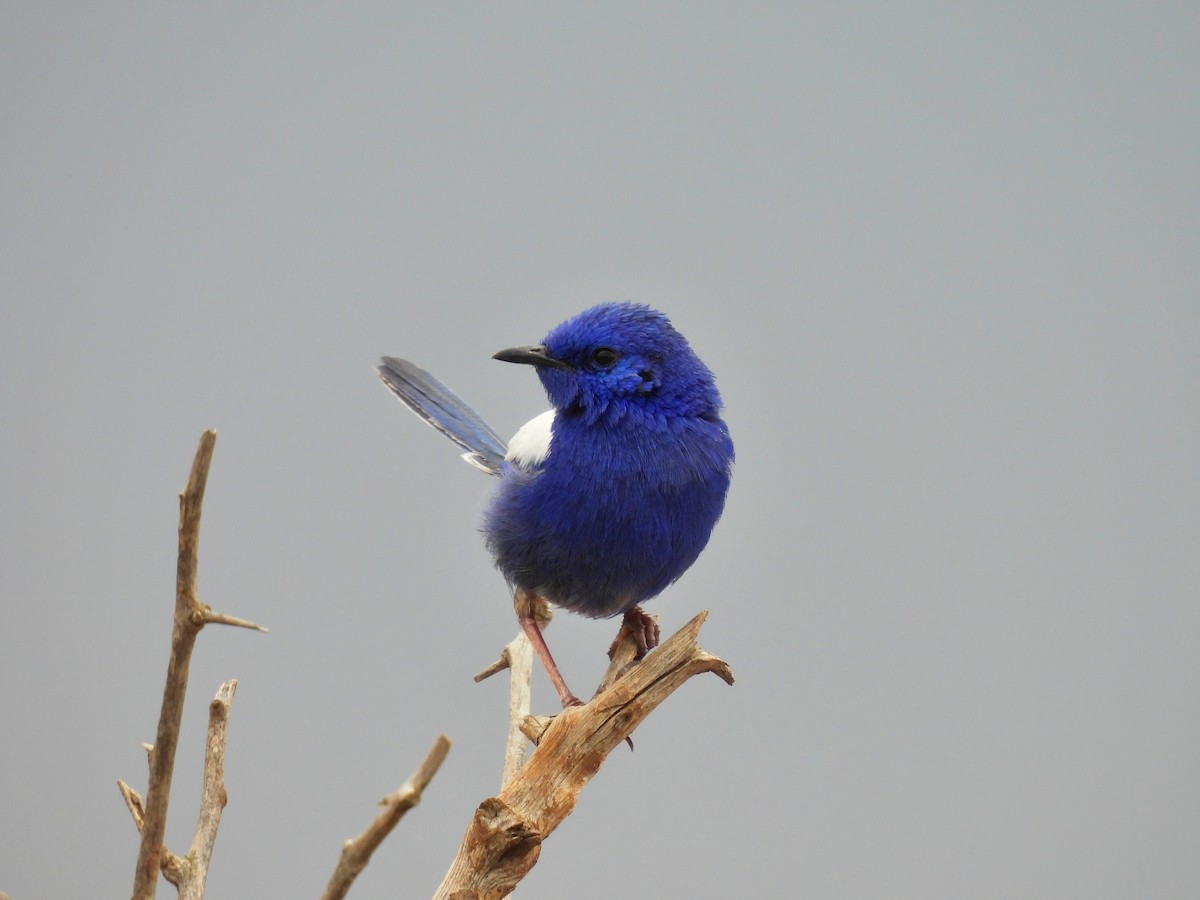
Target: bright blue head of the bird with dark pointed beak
[(619, 358)]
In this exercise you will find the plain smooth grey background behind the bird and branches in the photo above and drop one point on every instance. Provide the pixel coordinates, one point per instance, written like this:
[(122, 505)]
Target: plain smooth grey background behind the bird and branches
[(945, 261)]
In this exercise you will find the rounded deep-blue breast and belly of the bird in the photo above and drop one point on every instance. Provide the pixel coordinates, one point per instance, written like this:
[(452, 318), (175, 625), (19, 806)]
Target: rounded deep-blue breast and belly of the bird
[(614, 514)]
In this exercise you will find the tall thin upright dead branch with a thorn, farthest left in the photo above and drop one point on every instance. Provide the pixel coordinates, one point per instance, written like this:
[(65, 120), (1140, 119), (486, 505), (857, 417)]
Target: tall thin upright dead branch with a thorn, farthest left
[(190, 617)]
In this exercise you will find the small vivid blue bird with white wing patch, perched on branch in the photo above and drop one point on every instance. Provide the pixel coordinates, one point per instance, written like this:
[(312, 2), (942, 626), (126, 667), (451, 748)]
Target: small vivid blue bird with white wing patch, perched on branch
[(610, 496)]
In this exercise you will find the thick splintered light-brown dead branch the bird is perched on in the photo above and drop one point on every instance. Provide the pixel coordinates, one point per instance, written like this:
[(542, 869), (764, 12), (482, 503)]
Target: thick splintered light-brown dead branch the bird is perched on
[(505, 838)]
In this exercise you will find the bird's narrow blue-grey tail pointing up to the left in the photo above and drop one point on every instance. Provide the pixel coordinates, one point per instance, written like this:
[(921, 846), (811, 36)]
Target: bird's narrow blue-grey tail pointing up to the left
[(446, 411)]
